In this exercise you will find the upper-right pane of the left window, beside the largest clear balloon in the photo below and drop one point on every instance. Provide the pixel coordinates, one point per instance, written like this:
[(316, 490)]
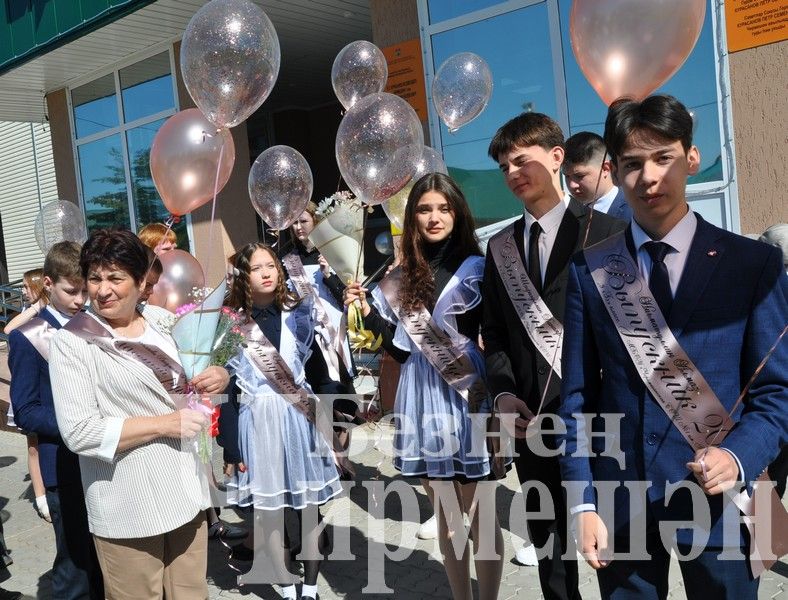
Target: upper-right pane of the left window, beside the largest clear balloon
[(146, 87)]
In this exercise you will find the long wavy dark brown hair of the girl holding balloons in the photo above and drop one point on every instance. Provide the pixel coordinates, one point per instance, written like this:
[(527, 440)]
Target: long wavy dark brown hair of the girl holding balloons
[(418, 283)]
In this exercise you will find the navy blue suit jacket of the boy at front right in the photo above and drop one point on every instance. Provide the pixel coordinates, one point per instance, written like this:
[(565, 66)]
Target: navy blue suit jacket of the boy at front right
[(729, 308)]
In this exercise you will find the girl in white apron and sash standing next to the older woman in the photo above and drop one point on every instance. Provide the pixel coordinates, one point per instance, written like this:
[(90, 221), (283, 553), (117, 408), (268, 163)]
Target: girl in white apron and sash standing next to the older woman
[(278, 453)]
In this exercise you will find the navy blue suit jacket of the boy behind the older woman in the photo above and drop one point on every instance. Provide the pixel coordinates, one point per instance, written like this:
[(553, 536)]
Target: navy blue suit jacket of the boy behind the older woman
[(34, 410)]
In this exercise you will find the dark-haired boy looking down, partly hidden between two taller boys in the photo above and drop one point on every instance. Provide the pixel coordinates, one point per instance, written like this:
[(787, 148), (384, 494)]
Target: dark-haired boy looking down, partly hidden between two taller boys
[(583, 160)]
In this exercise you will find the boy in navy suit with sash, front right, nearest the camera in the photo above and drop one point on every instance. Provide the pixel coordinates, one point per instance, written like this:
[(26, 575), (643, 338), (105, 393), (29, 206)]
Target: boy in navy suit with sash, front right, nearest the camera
[(717, 302)]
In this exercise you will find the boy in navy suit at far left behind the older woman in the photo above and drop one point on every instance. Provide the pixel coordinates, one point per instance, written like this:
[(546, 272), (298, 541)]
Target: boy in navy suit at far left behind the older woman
[(75, 571)]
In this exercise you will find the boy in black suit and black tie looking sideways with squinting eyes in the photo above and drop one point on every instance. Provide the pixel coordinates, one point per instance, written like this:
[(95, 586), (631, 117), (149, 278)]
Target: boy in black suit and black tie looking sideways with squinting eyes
[(529, 150)]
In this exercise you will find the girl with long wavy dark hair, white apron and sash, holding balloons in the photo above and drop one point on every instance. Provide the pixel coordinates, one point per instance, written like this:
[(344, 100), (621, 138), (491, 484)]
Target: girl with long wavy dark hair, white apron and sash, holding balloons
[(428, 311)]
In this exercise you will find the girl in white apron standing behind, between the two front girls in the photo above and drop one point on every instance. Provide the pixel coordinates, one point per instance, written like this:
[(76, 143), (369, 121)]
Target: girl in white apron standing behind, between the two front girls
[(309, 275)]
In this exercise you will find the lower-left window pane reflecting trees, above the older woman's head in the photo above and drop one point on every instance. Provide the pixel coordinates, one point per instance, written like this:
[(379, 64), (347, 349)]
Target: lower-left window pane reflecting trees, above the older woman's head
[(104, 183)]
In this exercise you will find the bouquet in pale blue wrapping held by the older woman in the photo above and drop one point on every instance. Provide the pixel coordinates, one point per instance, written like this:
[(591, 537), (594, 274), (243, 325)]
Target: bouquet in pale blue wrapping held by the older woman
[(206, 333)]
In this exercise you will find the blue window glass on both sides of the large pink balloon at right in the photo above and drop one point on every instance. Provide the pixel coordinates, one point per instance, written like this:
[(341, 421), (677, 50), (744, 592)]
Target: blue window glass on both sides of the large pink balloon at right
[(694, 85)]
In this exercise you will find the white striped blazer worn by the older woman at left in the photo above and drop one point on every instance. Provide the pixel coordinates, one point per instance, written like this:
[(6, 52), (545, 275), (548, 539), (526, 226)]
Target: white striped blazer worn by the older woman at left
[(148, 490)]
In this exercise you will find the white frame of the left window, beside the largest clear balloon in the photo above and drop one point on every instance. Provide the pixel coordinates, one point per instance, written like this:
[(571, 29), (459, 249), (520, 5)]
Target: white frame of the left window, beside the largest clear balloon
[(123, 128)]
